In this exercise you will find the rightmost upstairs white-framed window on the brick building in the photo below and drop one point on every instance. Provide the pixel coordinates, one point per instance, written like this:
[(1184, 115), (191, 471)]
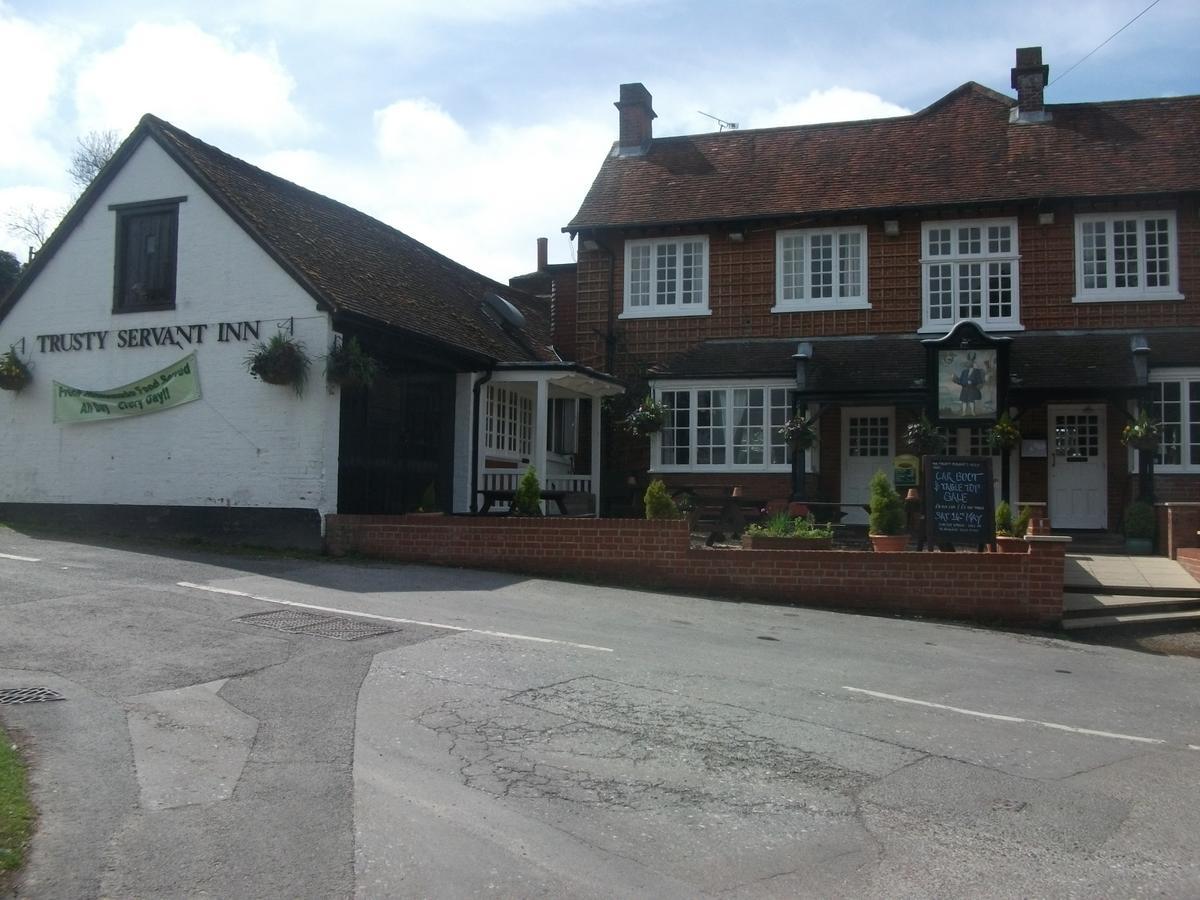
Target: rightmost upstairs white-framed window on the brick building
[(1126, 256)]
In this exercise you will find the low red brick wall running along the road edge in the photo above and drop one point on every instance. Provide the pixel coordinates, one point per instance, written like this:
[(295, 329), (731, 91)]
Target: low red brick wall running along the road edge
[(1021, 589)]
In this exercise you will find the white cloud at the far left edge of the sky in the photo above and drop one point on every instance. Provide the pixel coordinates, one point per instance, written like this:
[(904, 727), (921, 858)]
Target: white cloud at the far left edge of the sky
[(32, 70)]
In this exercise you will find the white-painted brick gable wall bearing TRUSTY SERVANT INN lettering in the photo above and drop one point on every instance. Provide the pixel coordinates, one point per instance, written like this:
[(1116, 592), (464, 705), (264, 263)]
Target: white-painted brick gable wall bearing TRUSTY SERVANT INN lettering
[(244, 445)]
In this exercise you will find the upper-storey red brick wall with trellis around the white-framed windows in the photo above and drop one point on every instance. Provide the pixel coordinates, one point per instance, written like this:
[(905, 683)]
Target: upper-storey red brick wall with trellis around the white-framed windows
[(742, 286)]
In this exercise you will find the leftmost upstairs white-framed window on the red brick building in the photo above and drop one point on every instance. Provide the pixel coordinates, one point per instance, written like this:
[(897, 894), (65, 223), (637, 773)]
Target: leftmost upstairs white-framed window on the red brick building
[(667, 277)]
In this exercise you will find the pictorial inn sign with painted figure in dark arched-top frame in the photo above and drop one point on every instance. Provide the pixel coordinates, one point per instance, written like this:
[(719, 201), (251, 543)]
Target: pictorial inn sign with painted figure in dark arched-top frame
[(968, 376)]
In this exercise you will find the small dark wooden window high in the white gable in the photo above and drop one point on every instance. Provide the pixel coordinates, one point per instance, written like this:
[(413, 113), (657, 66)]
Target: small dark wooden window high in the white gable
[(147, 244)]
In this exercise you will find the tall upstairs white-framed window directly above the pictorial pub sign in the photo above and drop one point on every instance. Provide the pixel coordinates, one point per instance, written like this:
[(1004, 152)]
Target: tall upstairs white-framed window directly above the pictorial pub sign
[(970, 271)]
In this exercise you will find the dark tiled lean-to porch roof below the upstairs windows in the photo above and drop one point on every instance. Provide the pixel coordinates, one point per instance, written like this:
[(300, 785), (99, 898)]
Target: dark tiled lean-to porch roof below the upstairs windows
[(865, 365)]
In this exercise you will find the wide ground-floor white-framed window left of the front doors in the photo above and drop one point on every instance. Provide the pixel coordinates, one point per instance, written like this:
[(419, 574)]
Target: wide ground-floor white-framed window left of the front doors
[(723, 428)]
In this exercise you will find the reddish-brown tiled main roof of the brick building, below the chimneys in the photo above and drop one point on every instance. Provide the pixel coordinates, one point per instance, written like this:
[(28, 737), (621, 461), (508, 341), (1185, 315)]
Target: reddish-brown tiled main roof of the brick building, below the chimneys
[(958, 151)]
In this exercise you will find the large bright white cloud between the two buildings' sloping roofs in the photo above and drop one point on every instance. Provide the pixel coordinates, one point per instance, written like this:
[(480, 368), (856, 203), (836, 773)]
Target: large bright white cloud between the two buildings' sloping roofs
[(481, 197)]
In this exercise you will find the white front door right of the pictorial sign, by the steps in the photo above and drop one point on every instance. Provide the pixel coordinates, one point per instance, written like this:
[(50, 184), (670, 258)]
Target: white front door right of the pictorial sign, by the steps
[(1078, 489)]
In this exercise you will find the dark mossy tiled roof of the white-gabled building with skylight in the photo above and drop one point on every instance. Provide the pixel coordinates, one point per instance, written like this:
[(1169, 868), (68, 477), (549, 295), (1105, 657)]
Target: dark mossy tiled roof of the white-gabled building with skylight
[(353, 266)]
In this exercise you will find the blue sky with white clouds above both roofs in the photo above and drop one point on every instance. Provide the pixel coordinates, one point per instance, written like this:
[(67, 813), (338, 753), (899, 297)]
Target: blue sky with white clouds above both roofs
[(477, 127)]
